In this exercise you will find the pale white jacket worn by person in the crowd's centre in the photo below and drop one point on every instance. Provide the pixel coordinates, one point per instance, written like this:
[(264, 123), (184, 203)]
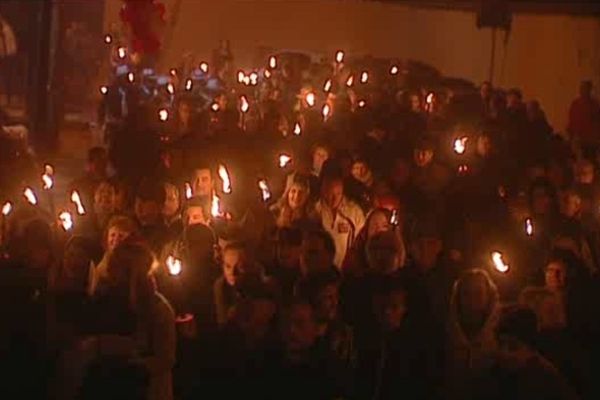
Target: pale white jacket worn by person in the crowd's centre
[(343, 225)]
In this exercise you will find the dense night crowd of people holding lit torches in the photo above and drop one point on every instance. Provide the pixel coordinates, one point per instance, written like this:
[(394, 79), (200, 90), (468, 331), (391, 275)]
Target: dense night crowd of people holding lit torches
[(377, 237)]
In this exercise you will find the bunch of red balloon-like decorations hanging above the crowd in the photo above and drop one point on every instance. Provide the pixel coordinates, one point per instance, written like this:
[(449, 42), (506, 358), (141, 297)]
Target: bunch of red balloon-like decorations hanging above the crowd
[(145, 19)]
